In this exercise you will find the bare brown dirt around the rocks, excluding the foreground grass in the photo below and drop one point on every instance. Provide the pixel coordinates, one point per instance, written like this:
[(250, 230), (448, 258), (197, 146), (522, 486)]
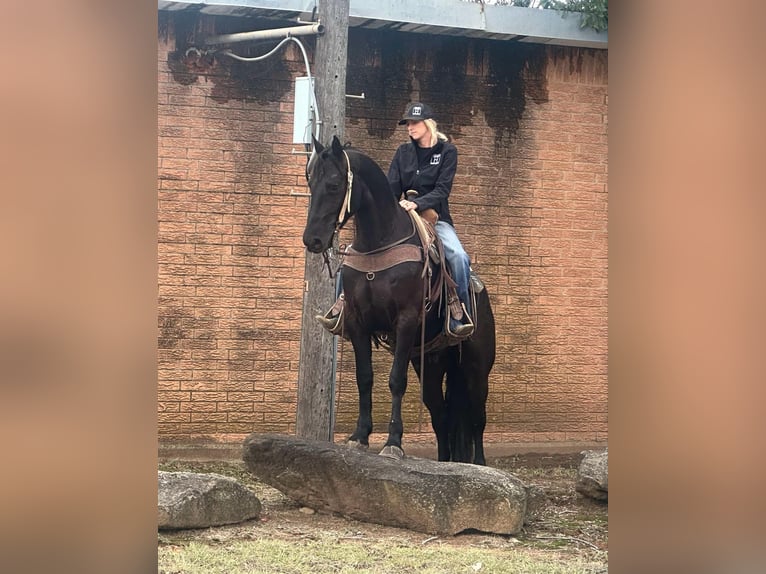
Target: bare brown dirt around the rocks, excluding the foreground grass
[(565, 522)]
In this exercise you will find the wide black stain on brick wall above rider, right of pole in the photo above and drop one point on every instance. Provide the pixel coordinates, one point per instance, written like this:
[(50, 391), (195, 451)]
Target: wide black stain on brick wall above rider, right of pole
[(446, 72)]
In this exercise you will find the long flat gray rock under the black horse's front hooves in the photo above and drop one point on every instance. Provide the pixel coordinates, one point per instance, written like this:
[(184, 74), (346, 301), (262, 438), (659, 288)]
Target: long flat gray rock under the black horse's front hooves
[(423, 495)]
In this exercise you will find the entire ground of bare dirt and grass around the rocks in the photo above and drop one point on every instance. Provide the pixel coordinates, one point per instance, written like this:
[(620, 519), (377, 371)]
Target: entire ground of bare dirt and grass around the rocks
[(568, 535)]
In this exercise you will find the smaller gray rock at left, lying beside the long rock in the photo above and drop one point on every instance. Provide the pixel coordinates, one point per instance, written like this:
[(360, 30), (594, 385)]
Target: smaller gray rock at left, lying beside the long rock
[(191, 500)]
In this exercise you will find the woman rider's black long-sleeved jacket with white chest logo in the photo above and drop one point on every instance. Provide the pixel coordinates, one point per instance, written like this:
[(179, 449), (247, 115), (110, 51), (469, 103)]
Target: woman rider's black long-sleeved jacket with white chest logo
[(432, 179)]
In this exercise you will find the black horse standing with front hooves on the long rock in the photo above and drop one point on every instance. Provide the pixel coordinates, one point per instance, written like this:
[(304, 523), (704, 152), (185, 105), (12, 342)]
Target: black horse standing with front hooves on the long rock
[(388, 304)]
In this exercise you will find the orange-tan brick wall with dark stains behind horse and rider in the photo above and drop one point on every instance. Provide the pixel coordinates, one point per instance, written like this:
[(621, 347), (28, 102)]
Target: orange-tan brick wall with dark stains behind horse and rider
[(529, 202)]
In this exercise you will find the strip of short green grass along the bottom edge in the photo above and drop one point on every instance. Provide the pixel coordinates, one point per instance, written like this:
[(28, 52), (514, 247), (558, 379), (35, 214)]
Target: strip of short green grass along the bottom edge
[(342, 557)]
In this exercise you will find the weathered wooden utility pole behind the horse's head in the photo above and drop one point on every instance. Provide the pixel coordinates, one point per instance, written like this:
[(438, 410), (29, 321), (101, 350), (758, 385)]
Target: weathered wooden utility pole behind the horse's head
[(316, 371)]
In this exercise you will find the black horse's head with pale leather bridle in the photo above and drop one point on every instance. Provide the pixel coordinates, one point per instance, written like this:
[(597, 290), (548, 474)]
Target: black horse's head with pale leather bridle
[(328, 182)]
